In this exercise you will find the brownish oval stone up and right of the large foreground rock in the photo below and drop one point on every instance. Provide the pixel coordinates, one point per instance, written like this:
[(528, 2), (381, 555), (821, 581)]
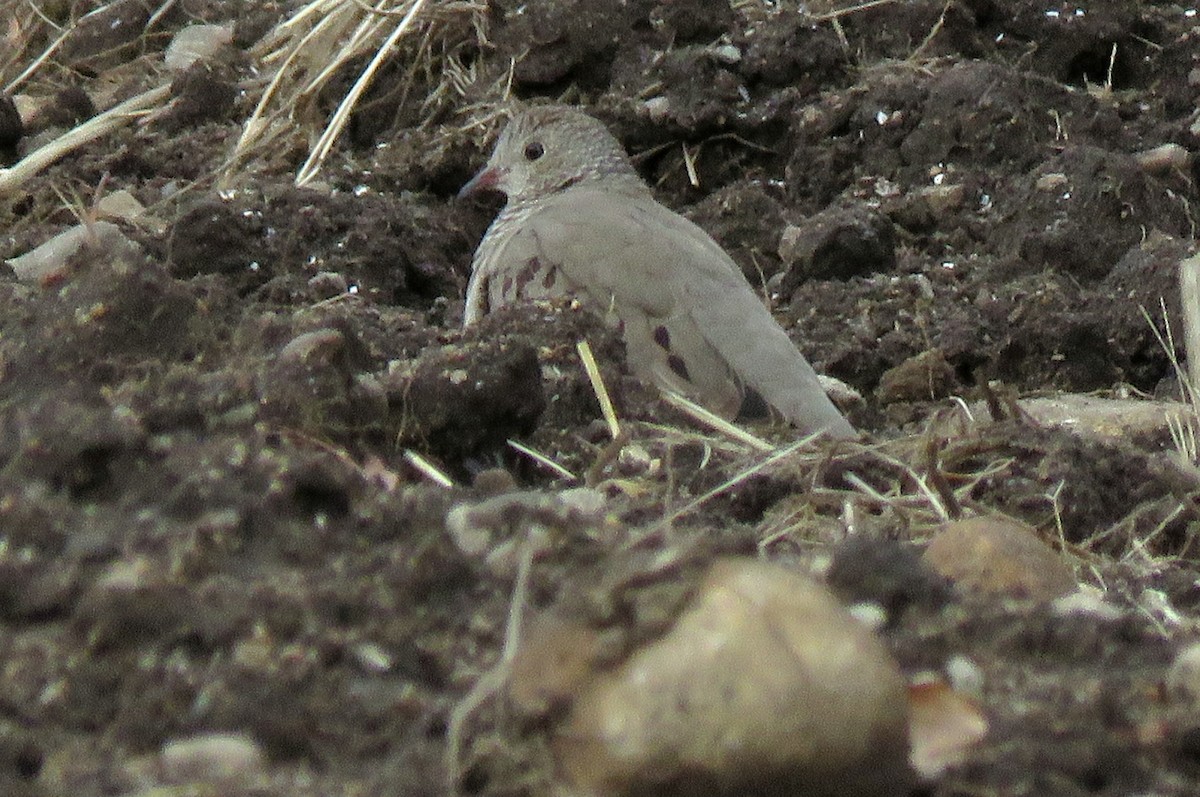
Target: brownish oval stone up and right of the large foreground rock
[(1000, 556)]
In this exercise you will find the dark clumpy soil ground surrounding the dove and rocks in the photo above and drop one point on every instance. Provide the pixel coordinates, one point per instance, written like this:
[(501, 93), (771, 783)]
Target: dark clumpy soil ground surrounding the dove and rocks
[(211, 518)]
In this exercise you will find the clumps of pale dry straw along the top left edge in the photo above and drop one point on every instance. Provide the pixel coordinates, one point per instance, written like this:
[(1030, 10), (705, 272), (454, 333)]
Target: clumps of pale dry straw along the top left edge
[(315, 68)]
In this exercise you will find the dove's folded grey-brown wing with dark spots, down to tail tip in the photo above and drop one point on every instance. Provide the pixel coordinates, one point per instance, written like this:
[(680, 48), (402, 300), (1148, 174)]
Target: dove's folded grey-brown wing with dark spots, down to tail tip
[(691, 319)]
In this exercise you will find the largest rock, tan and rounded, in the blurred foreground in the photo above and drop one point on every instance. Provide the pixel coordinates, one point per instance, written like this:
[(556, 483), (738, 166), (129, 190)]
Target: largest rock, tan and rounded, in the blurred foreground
[(765, 684)]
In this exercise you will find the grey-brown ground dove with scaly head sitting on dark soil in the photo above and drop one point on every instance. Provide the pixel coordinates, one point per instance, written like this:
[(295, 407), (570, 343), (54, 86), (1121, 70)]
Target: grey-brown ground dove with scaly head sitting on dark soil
[(580, 223)]
